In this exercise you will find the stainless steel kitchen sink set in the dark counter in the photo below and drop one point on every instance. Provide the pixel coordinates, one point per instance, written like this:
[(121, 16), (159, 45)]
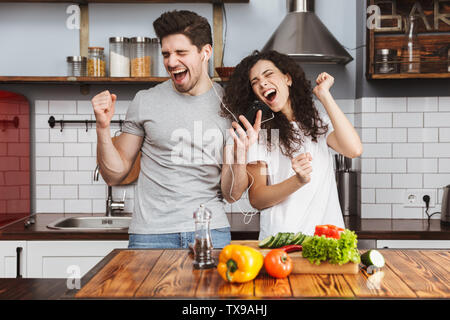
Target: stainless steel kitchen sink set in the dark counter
[(91, 223)]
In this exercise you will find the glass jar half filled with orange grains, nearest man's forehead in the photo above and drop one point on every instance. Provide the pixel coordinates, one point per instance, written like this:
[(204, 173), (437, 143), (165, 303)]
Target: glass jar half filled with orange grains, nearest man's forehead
[(140, 57)]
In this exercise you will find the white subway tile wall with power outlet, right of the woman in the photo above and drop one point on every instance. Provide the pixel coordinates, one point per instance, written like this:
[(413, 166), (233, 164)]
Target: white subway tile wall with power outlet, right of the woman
[(410, 152)]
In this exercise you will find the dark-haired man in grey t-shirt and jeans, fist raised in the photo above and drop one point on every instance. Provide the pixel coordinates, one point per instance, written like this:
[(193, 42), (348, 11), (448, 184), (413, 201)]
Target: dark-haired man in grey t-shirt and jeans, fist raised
[(177, 126)]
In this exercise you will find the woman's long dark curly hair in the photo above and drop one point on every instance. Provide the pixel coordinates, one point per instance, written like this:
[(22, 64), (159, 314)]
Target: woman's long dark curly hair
[(239, 96)]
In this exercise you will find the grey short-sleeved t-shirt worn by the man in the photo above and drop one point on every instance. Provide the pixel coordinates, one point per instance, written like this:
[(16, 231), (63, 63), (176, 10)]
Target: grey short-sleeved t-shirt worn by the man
[(181, 158)]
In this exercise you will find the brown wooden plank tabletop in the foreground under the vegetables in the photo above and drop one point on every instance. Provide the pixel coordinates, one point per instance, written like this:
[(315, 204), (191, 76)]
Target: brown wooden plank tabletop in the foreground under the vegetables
[(154, 273)]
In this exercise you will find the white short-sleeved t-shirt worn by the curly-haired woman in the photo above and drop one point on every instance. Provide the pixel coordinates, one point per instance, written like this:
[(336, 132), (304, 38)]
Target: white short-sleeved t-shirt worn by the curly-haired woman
[(313, 204)]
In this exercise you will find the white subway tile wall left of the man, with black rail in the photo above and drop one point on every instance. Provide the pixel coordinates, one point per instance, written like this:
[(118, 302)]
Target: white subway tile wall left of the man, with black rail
[(66, 160)]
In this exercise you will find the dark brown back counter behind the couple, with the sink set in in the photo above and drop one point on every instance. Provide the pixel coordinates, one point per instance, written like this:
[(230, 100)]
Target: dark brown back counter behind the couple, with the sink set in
[(405, 229)]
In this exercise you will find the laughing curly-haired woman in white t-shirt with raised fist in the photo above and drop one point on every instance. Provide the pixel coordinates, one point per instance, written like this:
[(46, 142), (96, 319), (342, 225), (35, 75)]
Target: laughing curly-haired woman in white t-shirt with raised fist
[(290, 169)]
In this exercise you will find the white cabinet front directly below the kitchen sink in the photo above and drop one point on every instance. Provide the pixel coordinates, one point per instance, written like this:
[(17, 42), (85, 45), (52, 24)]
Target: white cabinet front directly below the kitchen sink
[(63, 259)]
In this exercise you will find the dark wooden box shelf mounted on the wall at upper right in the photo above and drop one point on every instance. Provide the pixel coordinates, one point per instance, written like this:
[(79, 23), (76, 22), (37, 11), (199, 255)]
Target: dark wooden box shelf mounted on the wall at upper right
[(434, 41)]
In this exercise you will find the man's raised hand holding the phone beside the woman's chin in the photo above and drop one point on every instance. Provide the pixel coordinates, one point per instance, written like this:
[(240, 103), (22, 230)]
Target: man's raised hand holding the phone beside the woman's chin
[(244, 139)]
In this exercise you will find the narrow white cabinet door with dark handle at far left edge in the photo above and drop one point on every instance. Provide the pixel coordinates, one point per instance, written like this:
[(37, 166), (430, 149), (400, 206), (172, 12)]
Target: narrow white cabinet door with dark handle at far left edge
[(8, 258)]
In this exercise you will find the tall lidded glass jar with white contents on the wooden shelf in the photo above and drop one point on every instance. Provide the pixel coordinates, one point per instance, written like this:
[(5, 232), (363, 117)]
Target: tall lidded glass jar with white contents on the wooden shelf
[(119, 57)]
